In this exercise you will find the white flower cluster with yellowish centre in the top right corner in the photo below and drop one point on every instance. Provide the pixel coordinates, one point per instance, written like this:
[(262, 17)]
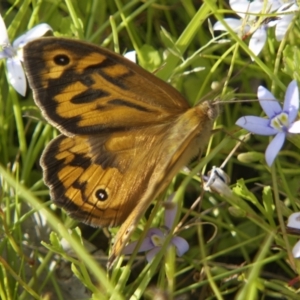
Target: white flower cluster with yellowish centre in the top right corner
[(251, 24)]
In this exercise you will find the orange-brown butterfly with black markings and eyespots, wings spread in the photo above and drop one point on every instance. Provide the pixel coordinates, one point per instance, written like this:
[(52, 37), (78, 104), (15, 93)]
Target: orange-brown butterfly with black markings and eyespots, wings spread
[(125, 132)]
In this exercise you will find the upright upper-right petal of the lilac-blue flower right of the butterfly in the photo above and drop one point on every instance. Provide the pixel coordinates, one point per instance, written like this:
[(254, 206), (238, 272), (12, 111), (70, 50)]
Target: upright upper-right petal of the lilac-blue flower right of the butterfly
[(291, 101)]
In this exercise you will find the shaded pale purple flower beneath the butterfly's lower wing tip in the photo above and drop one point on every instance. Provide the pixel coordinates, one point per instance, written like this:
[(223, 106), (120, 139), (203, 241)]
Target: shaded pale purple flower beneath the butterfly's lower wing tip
[(155, 237)]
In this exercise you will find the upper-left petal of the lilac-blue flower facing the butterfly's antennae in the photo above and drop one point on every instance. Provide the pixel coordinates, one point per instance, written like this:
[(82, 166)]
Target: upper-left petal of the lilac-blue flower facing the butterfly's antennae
[(268, 102)]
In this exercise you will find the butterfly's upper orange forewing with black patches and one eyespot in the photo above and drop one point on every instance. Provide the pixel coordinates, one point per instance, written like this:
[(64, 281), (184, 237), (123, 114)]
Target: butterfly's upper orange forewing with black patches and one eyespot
[(85, 89)]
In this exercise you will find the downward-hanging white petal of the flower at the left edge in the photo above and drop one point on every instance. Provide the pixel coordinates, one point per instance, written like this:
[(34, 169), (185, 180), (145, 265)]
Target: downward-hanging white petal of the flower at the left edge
[(16, 75)]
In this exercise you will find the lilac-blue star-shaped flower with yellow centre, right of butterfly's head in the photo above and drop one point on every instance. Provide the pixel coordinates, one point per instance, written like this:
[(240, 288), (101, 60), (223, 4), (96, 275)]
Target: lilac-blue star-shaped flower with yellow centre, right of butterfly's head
[(280, 121)]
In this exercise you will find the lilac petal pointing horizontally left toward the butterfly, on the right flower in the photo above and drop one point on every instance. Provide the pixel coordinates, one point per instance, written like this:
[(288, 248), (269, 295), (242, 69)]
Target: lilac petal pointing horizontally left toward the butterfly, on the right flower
[(256, 125)]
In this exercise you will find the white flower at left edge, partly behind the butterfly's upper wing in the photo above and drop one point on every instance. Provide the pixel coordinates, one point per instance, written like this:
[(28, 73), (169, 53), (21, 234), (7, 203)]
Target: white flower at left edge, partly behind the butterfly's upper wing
[(13, 54)]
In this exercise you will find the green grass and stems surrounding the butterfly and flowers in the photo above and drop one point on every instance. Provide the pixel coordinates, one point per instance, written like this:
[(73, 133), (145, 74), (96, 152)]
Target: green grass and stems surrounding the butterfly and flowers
[(239, 246)]
